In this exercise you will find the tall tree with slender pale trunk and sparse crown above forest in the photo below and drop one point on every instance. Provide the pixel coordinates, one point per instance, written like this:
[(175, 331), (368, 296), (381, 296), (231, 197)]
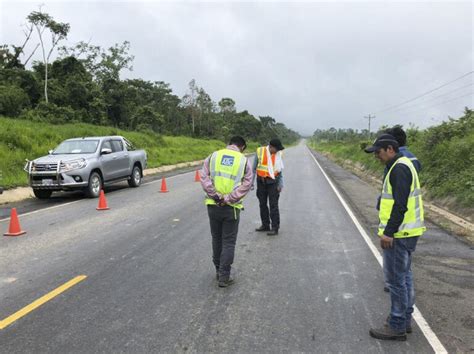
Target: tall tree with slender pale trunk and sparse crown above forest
[(42, 21)]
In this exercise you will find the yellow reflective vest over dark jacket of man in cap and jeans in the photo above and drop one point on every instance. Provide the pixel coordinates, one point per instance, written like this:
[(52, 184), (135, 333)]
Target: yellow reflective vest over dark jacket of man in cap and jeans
[(413, 223)]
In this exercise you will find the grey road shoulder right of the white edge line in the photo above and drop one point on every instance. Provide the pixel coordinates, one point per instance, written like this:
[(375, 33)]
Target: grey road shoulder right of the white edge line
[(442, 264)]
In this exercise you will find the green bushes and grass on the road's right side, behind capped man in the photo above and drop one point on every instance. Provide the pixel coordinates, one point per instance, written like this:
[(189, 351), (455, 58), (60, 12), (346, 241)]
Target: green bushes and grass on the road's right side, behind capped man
[(445, 151)]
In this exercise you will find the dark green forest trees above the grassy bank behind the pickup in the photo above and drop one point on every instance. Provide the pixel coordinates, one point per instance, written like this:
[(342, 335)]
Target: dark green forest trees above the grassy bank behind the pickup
[(83, 85)]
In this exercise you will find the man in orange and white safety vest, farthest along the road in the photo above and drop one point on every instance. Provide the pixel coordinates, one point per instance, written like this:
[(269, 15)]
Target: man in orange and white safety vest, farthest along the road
[(268, 167)]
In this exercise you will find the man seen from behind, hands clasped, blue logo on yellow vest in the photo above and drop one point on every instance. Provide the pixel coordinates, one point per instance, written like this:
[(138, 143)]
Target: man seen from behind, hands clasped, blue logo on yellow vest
[(226, 178)]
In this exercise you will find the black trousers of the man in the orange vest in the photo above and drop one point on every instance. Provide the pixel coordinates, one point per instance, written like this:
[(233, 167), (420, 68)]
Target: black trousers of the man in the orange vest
[(267, 192)]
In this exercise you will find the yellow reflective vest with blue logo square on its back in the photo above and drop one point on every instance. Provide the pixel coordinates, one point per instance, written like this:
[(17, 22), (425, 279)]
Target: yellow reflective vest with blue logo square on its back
[(227, 169)]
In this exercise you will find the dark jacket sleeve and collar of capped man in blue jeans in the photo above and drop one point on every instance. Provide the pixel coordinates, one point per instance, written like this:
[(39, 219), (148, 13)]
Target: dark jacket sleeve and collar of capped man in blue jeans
[(400, 179)]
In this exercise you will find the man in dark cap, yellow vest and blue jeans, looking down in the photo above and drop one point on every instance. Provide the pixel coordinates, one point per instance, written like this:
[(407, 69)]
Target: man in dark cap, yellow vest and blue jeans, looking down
[(401, 224)]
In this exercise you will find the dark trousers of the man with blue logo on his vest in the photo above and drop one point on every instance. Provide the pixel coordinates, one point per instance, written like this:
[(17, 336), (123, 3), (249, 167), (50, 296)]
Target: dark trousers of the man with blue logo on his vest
[(224, 223)]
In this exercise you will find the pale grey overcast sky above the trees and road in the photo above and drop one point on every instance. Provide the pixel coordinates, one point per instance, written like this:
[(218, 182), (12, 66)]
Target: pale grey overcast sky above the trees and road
[(307, 64)]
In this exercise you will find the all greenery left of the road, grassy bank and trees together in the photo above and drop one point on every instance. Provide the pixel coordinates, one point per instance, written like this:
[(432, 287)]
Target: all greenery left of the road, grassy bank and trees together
[(78, 91)]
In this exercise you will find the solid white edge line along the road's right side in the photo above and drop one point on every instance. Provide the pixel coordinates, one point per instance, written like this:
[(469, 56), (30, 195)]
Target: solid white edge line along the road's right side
[(420, 320)]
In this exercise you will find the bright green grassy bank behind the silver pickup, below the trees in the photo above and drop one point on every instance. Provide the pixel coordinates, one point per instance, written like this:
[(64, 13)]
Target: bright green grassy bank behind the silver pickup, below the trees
[(21, 139)]
